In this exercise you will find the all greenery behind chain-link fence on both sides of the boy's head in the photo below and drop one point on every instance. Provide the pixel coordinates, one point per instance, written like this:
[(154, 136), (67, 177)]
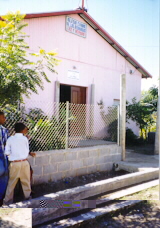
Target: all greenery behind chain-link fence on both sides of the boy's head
[(45, 133)]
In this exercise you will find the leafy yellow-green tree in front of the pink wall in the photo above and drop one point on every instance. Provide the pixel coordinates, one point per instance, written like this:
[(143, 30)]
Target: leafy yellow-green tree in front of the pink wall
[(18, 75)]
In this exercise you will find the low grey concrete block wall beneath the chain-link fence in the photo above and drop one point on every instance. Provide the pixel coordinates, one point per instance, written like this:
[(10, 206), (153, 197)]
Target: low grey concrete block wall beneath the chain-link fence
[(56, 164)]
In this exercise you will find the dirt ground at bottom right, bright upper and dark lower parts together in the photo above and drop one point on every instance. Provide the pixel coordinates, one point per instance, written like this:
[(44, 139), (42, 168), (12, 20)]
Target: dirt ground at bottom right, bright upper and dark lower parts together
[(145, 214)]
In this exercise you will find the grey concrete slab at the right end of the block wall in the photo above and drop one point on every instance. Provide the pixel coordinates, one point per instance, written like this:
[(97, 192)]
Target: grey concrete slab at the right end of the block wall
[(138, 162)]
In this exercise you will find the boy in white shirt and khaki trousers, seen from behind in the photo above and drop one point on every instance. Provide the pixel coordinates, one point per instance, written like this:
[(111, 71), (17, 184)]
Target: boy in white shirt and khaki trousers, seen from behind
[(17, 148)]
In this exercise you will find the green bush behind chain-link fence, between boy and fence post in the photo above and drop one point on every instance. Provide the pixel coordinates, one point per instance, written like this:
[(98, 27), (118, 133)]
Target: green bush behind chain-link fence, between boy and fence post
[(46, 133)]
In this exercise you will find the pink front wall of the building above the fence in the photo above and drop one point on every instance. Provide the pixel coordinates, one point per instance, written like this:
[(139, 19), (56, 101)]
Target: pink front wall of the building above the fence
[(95, 60)]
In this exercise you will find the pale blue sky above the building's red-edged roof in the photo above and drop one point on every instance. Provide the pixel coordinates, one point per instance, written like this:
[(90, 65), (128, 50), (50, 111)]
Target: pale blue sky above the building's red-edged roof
[(132, 23)]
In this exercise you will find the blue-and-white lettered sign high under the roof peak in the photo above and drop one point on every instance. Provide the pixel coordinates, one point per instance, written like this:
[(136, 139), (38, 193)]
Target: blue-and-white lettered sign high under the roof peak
[(76, 27)]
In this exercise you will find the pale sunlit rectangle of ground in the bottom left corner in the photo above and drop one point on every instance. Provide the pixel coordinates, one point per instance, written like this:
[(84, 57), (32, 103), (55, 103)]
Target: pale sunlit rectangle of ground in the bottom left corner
[(15, 218)]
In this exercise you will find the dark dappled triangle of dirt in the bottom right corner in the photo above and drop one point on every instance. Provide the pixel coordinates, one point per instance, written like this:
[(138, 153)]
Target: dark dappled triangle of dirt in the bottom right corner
[(146, 214)]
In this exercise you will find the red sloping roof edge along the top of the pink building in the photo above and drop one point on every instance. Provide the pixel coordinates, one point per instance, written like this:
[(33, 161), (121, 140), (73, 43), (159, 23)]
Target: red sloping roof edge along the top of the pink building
[(89, 20)]
